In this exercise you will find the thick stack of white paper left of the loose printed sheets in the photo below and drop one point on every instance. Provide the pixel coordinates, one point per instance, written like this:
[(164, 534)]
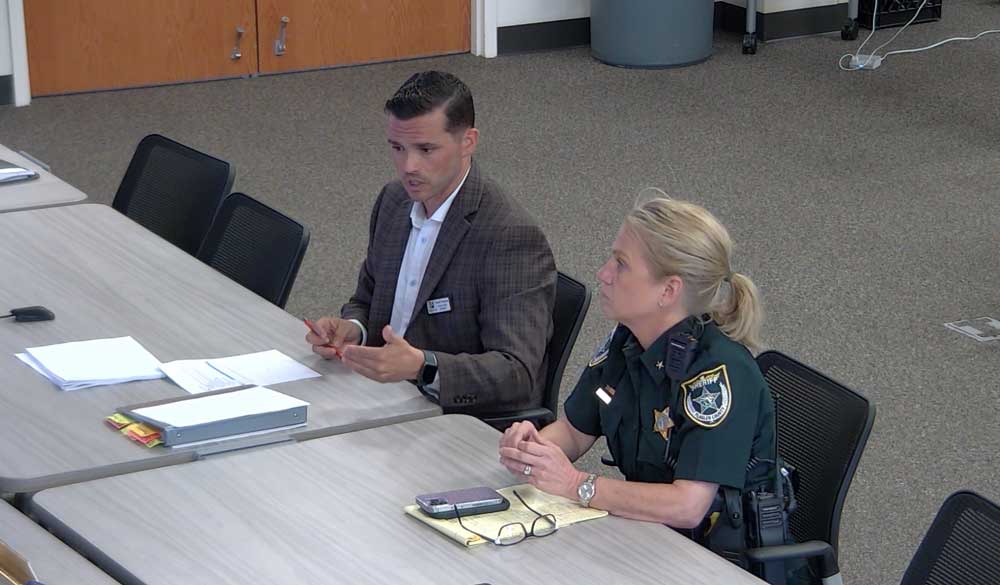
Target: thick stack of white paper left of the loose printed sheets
[(99, 362)]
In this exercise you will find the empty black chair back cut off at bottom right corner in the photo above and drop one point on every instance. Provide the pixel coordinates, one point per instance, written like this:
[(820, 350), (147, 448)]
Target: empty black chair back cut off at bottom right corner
[(961, 547)]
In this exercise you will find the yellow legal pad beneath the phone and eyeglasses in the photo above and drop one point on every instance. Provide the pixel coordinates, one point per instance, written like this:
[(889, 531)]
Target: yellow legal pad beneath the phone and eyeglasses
[(567, 512)]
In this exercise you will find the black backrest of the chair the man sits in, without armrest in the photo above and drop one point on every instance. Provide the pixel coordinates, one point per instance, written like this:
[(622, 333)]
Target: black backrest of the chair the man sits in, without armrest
[(572, 303)]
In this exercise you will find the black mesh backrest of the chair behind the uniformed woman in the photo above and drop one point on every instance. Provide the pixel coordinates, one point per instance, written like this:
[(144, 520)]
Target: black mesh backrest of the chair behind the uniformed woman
[(823, 427)]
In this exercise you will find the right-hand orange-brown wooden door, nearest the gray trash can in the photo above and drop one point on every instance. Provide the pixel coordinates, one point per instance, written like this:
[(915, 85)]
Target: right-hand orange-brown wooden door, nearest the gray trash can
[(326, 33)]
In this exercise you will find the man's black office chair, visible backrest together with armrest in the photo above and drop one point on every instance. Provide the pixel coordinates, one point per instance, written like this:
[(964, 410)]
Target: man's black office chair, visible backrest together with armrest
[(572, 303)]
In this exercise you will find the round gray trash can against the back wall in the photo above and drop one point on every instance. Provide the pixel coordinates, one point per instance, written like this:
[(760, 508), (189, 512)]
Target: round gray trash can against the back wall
[(651, 33)]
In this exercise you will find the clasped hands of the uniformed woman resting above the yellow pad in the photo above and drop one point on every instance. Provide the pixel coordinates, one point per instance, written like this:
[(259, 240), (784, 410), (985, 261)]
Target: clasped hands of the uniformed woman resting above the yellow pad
[(550, 469)]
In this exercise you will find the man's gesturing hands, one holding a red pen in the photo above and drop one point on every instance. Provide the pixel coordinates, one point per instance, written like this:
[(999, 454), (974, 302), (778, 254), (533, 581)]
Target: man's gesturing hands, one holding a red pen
[(395, 361)]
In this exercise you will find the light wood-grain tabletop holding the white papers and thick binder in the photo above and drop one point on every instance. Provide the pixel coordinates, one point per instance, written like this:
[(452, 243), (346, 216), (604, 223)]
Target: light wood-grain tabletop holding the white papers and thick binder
[(105, 276)]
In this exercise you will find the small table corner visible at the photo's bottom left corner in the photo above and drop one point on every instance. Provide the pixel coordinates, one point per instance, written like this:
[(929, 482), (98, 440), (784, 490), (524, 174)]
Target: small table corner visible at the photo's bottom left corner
[(54, 563)]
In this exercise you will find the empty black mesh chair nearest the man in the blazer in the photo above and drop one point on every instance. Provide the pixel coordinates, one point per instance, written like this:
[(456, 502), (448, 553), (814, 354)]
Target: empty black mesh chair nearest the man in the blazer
[(256, 246)]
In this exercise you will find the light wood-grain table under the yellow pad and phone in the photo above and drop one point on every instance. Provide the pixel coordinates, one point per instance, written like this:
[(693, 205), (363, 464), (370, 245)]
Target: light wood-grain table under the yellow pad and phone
[(330, 511)]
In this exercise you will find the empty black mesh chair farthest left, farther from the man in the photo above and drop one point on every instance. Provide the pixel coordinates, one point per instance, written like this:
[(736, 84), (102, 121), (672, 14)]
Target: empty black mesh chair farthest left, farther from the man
[(173, 190)]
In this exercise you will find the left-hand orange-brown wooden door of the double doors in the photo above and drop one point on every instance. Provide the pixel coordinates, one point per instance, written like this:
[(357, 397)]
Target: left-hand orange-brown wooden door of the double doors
[(81, 45)]
